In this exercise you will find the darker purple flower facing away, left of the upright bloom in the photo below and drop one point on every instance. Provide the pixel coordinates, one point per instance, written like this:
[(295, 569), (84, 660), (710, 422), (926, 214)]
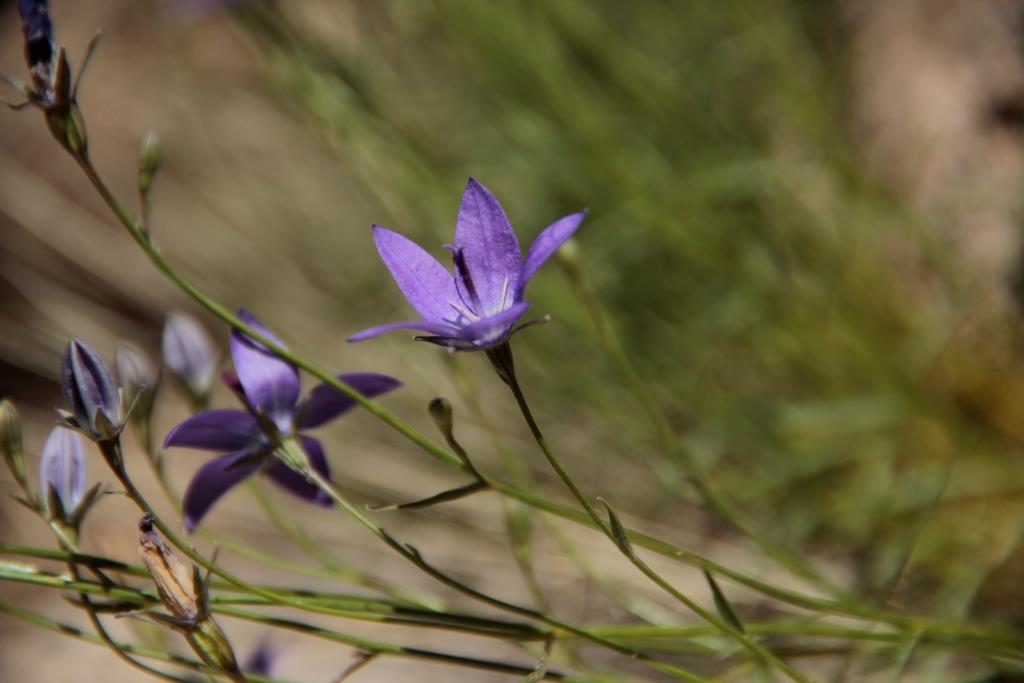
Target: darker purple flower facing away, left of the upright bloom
[(270, 390)]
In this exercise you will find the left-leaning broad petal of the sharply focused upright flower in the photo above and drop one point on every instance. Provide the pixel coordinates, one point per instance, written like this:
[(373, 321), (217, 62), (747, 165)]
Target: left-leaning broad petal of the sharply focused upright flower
[(426, 284)]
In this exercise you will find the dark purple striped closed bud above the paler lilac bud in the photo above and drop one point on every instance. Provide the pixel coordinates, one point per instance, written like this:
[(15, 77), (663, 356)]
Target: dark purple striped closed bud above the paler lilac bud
[(90, 388)]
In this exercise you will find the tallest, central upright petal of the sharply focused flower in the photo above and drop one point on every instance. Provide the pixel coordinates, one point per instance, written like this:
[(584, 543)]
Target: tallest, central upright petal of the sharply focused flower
[(485, 236)]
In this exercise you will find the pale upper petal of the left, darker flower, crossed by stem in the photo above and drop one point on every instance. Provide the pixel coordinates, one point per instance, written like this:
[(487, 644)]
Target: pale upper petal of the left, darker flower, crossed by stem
[(272, 386)]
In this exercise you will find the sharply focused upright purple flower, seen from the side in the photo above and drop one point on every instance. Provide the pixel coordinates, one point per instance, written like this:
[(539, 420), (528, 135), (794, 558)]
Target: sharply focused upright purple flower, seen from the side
[(477, 307)]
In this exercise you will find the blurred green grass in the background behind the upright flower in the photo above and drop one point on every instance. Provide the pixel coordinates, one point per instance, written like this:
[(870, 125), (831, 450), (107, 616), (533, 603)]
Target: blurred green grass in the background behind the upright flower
[(807, 334)]
